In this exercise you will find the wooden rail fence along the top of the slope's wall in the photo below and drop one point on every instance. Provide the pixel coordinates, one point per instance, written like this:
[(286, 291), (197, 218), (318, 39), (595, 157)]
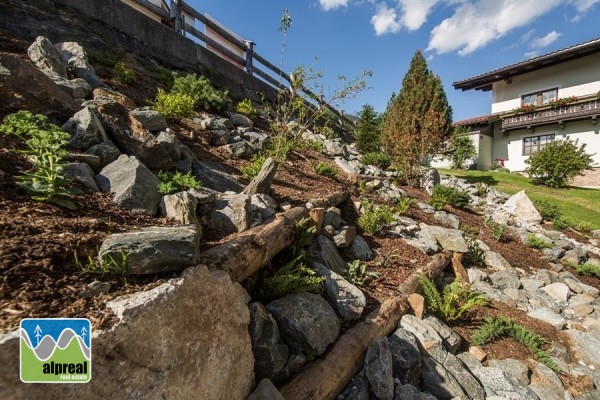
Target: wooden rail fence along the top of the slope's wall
[(254, 64)]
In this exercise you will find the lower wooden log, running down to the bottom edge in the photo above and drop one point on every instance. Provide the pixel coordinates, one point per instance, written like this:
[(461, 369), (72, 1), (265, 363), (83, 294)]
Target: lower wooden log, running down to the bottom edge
[(326, 378)]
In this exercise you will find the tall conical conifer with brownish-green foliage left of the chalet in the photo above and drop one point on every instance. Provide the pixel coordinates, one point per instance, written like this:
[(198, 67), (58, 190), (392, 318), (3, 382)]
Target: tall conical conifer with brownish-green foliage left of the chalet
[(419, 121)]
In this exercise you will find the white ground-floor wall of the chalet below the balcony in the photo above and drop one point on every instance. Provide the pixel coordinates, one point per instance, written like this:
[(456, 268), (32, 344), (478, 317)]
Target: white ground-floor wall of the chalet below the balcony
[(510, 147)]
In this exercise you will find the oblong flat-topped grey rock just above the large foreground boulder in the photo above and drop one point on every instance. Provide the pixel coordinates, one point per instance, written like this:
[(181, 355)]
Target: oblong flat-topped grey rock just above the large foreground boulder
[(152, 250)]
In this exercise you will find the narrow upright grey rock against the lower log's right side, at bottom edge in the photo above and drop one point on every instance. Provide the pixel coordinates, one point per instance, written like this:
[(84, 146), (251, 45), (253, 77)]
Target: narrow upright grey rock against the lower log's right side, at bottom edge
[(378, 369)]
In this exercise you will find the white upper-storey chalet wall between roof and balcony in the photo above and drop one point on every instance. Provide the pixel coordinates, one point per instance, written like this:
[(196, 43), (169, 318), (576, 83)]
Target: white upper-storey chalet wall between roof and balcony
[(574, 78)]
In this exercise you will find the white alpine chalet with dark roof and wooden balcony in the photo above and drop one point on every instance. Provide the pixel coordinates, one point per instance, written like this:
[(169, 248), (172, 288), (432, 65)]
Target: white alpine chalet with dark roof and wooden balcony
[(550, 97)]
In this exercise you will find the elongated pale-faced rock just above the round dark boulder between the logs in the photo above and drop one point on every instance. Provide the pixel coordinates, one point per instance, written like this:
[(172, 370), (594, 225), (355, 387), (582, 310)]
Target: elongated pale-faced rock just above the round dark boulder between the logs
[(349, 300)]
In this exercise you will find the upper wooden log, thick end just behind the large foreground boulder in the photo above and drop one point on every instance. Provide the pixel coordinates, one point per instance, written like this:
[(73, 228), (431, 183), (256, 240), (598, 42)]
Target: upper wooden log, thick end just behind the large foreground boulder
[(244, 255)]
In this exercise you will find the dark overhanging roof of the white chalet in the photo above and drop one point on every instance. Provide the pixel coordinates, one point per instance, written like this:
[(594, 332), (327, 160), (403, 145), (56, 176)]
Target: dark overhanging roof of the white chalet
[(484, 81)]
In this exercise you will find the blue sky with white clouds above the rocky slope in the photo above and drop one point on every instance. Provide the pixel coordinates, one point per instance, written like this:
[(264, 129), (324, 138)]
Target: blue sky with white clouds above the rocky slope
[(460, 38)]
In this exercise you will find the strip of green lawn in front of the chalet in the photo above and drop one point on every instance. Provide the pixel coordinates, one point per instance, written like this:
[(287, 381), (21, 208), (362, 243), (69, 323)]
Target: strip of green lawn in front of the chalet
[(576, 204)]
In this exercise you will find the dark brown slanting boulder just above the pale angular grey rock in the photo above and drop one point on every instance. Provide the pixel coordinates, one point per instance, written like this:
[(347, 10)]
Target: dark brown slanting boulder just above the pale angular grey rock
[(130, 136)]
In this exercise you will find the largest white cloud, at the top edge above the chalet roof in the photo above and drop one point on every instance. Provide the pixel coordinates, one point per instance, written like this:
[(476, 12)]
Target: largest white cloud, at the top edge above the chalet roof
[(474, 25)]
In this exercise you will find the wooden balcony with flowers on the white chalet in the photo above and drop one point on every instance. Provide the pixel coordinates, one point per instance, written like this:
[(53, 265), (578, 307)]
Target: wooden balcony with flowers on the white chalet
[(553, 115)]
